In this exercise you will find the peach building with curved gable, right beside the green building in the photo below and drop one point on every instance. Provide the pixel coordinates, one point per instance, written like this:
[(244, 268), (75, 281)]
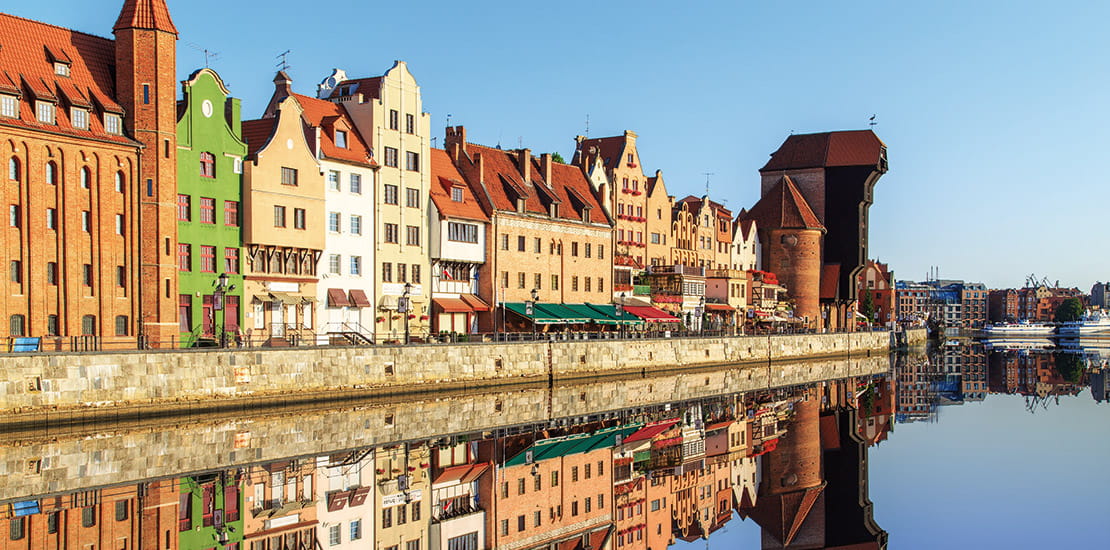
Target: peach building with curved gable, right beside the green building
[(284, 234)]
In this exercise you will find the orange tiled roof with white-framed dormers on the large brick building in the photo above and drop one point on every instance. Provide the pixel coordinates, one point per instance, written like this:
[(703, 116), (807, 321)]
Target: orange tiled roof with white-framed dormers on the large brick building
[(28, 51)]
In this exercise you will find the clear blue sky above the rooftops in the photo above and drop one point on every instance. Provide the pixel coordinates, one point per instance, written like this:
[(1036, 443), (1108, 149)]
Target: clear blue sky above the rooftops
[(995, 113)]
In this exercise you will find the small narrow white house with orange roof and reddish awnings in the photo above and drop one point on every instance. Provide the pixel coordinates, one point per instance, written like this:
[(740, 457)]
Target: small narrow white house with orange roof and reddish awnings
[(458, 233)]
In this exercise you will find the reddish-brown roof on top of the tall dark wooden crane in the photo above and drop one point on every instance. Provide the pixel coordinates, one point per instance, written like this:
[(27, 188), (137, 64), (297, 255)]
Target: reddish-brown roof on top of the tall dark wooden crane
[(828, 149)]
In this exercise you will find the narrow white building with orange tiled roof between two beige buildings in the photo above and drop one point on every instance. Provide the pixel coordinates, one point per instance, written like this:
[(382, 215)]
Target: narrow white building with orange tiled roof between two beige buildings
[(347, 275)]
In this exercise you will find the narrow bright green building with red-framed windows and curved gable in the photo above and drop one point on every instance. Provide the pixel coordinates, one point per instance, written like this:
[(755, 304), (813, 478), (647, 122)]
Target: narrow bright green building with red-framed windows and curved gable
[(210, 174)]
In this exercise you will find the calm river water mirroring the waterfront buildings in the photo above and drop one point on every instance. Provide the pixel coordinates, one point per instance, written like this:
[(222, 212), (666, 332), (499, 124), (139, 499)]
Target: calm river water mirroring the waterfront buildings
[(963, 447)]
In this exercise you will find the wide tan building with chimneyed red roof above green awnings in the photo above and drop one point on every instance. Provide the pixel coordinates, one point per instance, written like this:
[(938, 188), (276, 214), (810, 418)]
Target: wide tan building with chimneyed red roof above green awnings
[(548, 233)]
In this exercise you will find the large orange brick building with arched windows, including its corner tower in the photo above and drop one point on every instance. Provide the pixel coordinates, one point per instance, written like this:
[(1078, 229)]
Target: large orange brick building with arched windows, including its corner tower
[(89, 143)]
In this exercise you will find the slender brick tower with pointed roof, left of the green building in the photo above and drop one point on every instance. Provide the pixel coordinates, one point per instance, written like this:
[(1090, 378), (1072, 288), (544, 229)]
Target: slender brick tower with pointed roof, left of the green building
[(146, 85)]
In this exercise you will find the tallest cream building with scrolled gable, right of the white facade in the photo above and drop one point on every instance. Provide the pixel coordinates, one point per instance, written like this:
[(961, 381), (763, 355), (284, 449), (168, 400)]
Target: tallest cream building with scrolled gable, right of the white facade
[(389, 114)]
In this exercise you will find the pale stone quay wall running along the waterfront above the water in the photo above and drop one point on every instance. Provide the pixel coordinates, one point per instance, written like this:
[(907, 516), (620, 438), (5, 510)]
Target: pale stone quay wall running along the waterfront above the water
[(55, 383)]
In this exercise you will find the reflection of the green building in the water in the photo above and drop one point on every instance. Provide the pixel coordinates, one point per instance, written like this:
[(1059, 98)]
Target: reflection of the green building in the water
[(210, 513)]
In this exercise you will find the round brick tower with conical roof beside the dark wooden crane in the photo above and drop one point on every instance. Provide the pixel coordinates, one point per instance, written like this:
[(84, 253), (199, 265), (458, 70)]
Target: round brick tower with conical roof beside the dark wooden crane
[(791, 236)]
